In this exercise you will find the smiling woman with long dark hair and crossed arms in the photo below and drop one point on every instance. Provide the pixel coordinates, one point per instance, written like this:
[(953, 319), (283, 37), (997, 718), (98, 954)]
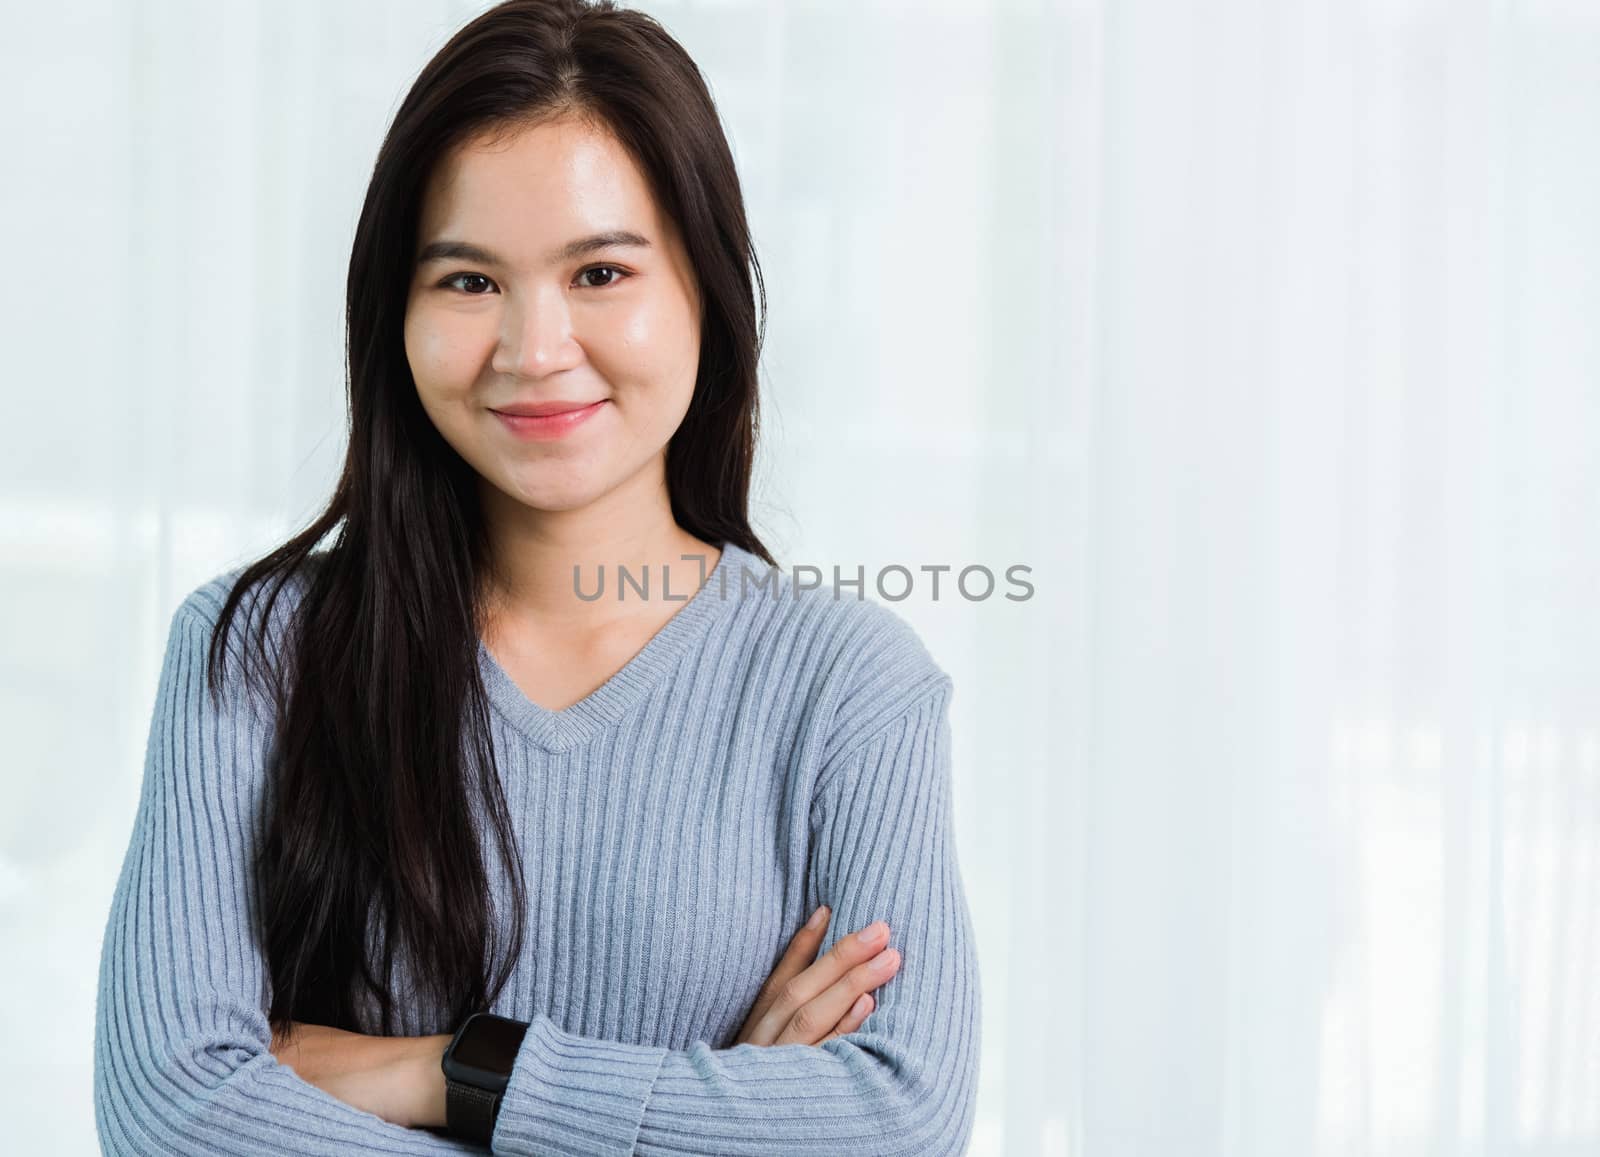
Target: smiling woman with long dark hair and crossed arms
[(676, 775)]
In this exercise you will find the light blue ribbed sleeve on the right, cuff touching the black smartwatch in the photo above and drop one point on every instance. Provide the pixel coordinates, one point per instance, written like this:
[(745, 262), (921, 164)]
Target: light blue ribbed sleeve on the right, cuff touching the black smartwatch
[(905, 1083)]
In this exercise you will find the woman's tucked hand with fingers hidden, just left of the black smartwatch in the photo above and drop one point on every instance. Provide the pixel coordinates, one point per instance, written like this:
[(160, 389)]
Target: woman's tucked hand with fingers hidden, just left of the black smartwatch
[(393, 1078)]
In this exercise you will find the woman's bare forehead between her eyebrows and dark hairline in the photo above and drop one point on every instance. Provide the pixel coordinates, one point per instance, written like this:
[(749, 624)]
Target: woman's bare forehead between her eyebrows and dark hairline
[(537, 186)]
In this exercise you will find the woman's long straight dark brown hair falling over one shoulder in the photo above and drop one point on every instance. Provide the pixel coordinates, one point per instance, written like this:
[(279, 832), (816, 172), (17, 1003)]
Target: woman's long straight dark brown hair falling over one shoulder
[(369, 827)]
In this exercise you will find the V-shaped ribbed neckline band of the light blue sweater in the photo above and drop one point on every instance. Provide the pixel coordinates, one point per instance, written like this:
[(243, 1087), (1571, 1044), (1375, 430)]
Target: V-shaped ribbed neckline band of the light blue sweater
[(566, 729)]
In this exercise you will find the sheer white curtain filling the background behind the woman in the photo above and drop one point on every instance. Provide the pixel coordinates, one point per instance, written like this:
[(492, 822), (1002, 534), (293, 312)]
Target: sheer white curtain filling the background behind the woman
[(1263, 332)]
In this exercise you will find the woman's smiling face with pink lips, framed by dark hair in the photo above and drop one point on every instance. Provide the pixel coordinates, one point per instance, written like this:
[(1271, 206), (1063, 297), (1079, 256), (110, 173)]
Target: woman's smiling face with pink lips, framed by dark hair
[(519, 322)]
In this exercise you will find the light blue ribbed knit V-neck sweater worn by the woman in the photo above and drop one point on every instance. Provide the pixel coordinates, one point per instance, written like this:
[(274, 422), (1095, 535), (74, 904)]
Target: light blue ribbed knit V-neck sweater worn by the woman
[(770, 750)]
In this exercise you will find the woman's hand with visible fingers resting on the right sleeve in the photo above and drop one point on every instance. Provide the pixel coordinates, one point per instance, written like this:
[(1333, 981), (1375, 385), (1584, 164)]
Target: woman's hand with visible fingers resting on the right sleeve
[(804, 1003)]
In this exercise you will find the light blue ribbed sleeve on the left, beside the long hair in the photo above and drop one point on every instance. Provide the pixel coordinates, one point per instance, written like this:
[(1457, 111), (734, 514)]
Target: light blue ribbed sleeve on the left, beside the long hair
[(183, 1049)]
